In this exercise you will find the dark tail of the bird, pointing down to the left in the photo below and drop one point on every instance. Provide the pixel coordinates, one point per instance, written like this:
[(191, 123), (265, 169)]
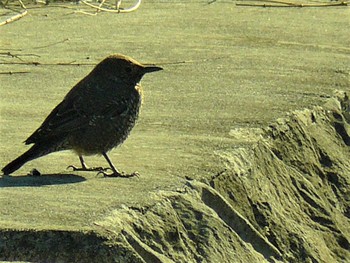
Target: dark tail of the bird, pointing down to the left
[(34, 152)]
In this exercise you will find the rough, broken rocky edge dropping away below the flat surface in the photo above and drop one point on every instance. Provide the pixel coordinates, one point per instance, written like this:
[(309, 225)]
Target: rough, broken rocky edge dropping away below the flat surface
[(283, 199)]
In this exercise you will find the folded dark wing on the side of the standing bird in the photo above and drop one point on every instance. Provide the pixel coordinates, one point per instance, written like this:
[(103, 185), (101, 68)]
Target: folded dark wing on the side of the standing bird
[(76, 111)]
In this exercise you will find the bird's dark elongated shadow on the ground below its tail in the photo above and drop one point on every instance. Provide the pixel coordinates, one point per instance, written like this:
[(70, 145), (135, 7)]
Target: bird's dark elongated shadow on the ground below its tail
[(42, 180)]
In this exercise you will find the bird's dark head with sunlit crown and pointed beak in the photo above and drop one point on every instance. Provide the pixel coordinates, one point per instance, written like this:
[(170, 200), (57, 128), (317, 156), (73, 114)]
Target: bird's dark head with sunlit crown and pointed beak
[(123, 68)]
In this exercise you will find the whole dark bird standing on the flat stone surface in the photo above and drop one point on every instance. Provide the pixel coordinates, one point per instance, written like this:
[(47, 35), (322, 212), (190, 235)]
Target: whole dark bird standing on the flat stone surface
[(95, 116)]
